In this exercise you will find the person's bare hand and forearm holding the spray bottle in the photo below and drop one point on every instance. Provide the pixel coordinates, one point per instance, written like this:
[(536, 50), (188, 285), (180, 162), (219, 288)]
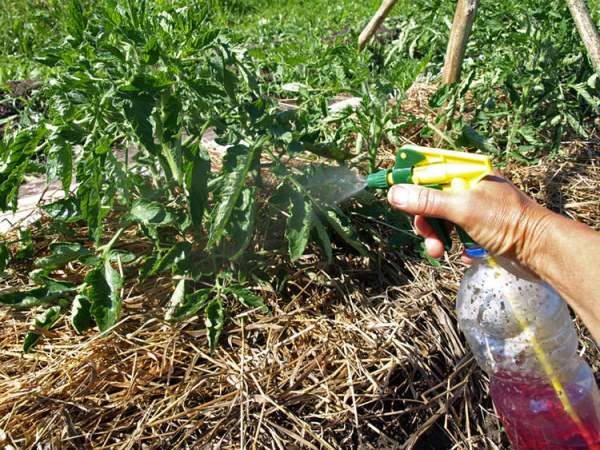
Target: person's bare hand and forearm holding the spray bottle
[(506, 222)]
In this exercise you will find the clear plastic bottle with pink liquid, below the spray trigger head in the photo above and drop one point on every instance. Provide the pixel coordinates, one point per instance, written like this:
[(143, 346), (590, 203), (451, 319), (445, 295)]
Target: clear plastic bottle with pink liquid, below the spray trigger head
[(521, 334)]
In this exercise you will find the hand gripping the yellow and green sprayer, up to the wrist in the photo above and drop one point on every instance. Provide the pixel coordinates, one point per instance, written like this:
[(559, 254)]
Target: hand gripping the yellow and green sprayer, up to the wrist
[(495, 214)]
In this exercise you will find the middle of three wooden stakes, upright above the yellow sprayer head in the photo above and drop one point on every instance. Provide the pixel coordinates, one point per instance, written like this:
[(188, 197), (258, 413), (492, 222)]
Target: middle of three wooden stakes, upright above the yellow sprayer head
[(459, 36)]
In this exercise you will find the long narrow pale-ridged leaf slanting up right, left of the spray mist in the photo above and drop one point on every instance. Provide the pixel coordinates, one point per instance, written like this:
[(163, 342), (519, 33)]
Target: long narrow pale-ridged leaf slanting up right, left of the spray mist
[(233, 185)]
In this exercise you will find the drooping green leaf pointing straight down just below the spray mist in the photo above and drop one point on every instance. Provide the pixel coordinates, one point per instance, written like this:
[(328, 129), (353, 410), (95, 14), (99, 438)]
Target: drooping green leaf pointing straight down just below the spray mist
[(298, 225)]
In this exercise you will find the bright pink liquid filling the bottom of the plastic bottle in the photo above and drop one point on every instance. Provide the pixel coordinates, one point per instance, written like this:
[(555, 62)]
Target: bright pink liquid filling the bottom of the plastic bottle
[(535, 419)]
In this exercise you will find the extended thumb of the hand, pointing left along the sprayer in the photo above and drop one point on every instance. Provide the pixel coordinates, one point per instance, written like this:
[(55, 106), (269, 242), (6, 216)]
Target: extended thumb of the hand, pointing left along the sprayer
[(419, 200)]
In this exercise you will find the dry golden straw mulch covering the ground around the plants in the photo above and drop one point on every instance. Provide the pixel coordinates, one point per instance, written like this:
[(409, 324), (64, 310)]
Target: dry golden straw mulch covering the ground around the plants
[(360, 354)]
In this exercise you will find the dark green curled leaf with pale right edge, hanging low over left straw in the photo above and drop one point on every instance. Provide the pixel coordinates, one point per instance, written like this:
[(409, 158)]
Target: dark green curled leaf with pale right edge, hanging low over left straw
[(103, 286)]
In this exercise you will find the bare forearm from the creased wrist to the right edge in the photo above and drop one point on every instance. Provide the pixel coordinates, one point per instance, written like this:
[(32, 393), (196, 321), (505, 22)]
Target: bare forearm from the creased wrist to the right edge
[(566, 256)]
